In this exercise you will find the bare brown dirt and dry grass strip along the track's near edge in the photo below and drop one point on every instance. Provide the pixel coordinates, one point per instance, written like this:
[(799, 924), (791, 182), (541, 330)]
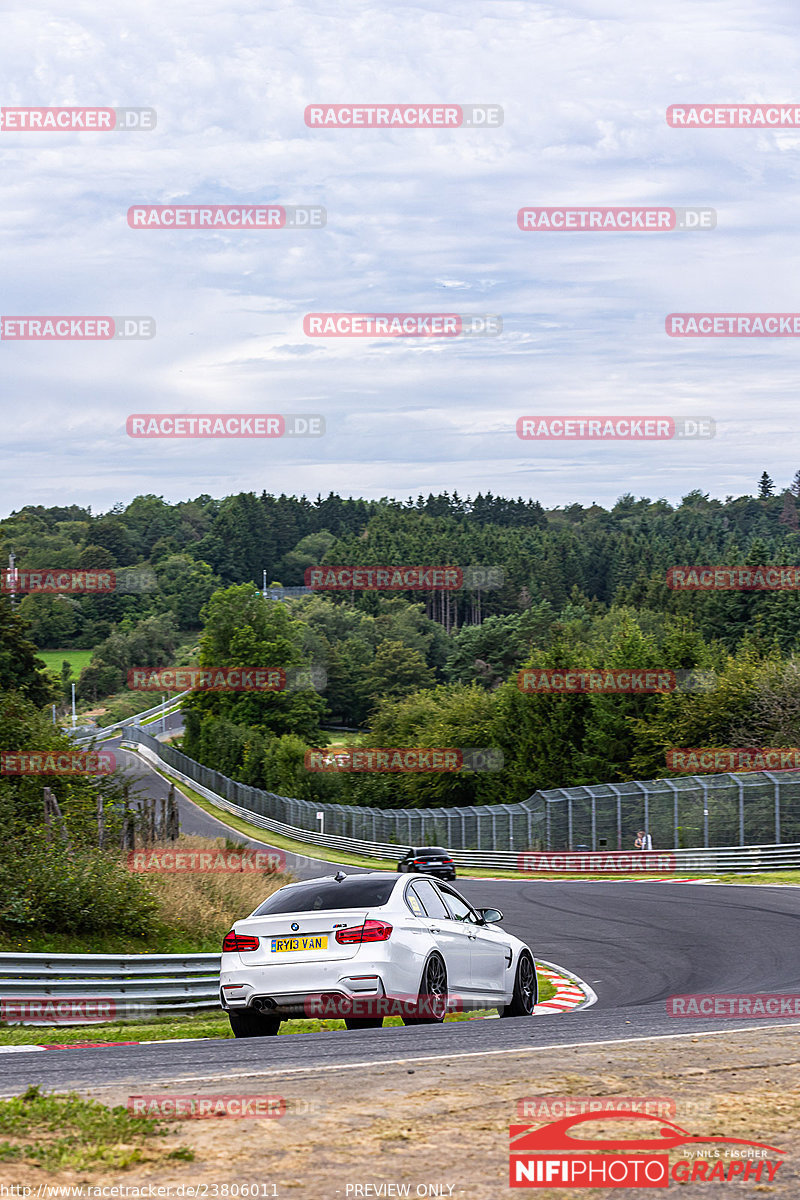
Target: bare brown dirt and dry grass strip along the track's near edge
[(443, 1126)]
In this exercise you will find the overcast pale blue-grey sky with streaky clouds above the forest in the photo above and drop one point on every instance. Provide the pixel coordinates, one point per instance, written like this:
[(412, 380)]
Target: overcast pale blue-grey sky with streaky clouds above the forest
[(418, 221)]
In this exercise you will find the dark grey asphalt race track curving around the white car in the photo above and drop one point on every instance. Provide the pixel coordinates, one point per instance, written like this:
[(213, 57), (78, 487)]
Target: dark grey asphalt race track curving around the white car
[(635, 944)]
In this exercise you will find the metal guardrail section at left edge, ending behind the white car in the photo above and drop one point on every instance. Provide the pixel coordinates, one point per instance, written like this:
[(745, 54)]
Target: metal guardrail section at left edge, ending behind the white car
[(136, 985)]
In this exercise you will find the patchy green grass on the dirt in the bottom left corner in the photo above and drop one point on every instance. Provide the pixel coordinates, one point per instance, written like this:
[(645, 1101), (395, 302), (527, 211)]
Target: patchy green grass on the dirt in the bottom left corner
[(68, 1132)]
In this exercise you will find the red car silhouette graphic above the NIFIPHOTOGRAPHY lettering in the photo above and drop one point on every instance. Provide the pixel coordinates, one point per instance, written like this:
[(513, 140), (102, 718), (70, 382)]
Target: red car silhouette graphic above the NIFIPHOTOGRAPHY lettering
[(556, 1136)]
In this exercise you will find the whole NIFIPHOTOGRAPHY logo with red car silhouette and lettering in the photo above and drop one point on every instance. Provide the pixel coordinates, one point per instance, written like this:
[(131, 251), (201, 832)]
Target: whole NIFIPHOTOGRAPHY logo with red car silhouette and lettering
[(562, 1155)]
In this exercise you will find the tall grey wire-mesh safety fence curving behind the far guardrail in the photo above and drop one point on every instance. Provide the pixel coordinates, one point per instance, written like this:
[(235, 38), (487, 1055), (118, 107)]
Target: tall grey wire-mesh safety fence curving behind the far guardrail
[(750, 809)]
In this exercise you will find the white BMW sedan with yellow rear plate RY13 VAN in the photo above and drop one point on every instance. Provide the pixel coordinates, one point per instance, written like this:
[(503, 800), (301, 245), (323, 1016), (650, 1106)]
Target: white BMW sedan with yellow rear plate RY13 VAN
[(364, 947)]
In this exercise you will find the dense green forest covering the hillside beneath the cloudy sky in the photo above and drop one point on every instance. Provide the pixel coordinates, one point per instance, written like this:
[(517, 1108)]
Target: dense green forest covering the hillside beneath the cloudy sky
[(579, 587)]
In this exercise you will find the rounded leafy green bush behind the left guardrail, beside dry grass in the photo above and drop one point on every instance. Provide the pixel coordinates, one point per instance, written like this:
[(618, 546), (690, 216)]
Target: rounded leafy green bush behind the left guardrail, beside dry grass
[(47, 890)]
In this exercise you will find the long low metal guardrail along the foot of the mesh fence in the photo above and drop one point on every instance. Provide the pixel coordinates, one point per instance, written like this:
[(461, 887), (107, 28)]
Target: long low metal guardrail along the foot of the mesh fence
[(719, 861)]
